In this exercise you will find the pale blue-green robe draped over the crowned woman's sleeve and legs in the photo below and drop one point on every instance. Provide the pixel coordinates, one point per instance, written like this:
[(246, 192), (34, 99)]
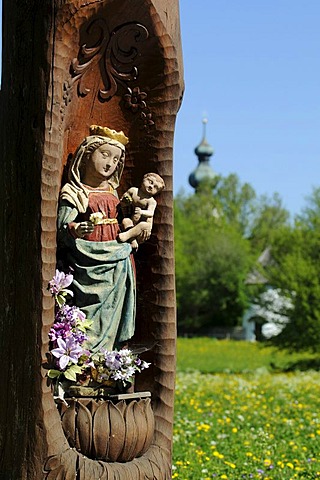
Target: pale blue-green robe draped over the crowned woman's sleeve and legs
[(104, 283)]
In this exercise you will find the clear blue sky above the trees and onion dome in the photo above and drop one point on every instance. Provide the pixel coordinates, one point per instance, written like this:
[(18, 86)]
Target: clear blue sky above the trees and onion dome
[(253, 68)]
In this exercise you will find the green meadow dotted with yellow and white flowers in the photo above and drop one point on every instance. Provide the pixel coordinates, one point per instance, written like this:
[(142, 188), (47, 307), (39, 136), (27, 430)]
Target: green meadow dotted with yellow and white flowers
[(245, 411)]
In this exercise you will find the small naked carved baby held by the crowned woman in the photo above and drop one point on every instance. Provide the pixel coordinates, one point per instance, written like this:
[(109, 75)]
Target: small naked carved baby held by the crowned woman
[(137, 228)]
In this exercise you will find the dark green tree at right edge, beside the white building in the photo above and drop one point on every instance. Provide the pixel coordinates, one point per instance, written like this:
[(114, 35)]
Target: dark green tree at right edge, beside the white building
[(296, 269)]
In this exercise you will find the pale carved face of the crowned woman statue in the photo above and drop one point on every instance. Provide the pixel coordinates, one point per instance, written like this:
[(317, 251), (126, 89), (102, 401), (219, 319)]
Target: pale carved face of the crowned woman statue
[(102, 163)]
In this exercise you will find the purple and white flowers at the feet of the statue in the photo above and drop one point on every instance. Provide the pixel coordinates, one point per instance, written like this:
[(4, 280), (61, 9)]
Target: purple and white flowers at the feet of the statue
[(73, 365)]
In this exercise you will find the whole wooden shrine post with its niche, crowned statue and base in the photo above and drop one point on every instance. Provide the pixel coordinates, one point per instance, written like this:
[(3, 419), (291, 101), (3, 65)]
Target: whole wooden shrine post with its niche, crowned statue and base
[(69, 65)]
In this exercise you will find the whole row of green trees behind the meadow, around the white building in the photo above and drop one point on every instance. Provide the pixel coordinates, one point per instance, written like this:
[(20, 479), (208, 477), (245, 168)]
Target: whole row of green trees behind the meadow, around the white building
[(220, 234)]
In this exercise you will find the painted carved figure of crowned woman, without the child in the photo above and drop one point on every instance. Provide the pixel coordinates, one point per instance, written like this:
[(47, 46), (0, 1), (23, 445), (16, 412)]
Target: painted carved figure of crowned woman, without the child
[(103, 276)]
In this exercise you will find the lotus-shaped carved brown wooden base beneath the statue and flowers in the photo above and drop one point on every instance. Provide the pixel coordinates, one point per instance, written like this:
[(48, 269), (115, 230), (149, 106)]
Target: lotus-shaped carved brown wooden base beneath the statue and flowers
[(103, 430)]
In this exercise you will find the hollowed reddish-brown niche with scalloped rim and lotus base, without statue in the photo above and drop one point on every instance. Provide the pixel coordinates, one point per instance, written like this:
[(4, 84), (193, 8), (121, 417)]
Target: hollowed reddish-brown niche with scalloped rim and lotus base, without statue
[(110, 70)]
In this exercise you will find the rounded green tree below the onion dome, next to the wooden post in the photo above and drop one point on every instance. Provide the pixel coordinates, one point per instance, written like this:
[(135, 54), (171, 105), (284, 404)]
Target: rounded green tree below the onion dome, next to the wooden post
[(212, 262)]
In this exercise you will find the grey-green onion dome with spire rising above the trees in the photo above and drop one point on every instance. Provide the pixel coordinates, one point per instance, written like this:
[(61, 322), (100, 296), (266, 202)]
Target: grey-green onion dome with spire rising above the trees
[(204, 171)]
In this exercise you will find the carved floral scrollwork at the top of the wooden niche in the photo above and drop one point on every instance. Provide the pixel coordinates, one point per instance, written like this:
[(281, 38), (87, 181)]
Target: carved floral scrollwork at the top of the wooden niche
[(114, 53)]
